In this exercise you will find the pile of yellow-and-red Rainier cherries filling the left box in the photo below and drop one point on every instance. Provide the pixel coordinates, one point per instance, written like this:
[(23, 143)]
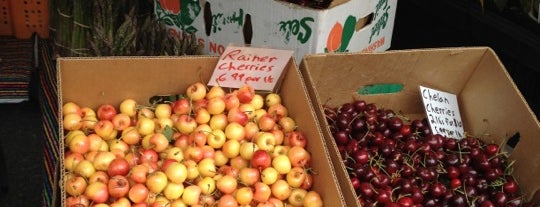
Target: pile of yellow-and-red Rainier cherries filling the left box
[(210, 147)]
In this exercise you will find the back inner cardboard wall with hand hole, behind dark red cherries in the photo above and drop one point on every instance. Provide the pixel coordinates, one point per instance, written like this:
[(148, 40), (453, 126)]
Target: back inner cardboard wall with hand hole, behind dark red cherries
[(409, 69)]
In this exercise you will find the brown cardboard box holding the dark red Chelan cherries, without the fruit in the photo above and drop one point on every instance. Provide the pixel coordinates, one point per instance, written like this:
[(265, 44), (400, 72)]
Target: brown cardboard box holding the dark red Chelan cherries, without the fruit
[(483, 87)]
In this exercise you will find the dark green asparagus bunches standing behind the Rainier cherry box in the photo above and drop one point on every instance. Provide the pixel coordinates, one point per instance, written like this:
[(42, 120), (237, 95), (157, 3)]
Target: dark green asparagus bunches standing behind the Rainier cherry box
[(115, 28)]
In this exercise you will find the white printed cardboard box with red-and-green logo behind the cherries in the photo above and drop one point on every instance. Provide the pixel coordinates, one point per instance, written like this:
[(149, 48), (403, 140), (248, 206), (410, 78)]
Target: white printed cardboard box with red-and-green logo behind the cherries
[(346, 26)]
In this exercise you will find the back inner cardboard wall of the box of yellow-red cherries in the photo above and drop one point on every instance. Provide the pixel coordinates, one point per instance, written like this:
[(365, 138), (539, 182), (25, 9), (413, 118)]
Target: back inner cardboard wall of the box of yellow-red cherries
[(130, 80)]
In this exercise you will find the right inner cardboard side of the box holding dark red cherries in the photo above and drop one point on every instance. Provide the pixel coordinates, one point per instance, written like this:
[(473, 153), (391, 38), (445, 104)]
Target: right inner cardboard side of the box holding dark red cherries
[(491, 105)]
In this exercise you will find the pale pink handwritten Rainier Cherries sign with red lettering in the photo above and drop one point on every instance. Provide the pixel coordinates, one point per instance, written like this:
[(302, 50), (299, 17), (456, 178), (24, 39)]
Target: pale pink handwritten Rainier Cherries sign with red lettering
[(260, 68)]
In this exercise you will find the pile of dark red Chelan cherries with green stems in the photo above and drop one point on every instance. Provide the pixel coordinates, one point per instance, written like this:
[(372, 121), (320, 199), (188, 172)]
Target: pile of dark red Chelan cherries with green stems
[(393, 161)]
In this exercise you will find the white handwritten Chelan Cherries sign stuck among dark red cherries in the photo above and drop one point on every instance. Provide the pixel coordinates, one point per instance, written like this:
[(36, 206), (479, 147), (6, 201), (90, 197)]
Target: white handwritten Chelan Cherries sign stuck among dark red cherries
[(442, 112)]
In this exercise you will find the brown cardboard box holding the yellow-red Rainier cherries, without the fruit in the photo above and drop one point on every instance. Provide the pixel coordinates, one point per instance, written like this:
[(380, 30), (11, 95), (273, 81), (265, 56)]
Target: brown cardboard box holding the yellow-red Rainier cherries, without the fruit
[(93, 81)]
